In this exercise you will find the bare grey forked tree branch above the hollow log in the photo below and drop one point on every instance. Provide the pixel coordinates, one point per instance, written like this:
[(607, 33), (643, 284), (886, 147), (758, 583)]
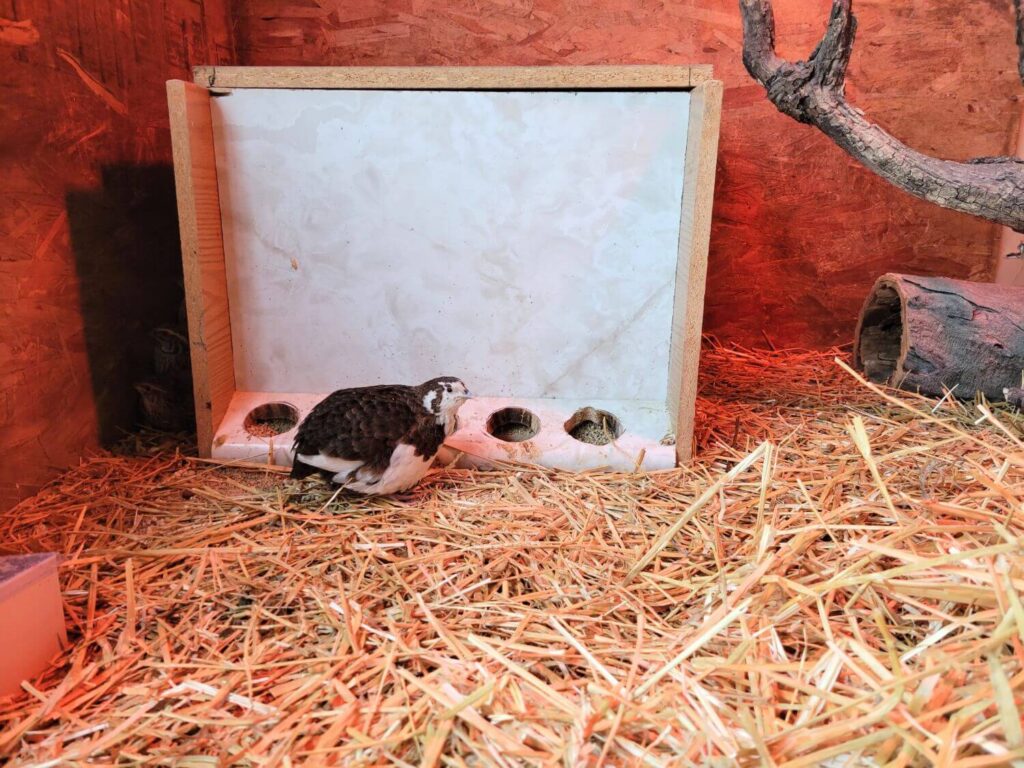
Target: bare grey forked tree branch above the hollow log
[(814, 93)]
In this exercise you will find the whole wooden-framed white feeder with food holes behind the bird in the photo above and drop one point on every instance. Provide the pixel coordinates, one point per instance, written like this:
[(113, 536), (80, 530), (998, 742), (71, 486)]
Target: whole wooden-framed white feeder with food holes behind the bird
[(541, 233)]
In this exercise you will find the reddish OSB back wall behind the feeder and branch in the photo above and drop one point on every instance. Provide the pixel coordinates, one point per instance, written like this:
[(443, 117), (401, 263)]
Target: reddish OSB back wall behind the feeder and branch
[(801, 232)]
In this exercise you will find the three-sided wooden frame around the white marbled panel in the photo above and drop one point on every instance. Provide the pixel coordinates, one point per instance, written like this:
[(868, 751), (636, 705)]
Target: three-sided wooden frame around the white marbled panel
[(199, 205)]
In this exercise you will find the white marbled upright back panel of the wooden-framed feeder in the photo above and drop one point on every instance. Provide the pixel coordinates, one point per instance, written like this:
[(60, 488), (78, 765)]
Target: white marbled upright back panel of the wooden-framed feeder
[(524, 241)]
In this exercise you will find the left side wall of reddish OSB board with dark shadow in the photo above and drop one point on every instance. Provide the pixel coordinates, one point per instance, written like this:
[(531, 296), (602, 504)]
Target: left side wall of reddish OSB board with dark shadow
[(90, 262)]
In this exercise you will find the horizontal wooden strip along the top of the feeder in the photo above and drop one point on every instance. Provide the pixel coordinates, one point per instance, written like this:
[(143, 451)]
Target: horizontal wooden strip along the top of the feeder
[(454, 78)]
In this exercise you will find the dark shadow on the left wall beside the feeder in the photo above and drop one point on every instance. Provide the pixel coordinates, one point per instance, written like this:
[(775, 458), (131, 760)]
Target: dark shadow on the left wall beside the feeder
[(124, 236)]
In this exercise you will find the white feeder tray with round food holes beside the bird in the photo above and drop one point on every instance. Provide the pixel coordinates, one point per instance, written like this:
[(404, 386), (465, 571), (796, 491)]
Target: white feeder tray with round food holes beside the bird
[(261, 428)]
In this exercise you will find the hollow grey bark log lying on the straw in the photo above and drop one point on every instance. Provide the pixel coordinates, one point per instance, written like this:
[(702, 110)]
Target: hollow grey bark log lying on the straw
[(933, 334)]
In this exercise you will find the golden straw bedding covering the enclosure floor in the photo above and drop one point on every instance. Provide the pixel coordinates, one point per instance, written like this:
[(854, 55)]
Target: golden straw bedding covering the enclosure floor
[(837, 580)]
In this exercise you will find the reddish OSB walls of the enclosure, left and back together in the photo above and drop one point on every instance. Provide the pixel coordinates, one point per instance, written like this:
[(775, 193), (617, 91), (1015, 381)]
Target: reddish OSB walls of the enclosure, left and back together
[(90, 261)]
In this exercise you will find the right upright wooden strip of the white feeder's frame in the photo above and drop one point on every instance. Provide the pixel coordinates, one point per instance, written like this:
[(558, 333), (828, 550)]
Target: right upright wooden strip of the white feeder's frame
[(695, 240)]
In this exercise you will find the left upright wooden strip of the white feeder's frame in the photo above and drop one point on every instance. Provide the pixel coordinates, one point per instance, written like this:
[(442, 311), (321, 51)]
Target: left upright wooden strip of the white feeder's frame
[(202, 257)]
